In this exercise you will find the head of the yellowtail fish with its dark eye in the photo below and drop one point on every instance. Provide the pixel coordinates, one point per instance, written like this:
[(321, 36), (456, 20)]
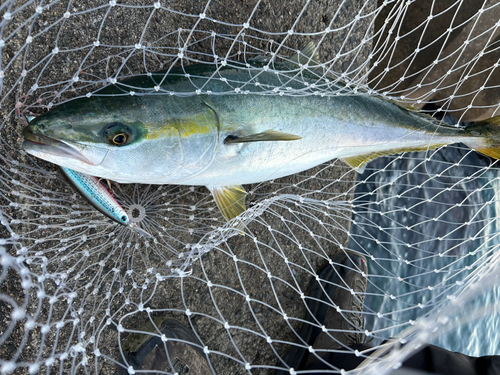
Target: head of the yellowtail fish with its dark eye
[(121, 141)]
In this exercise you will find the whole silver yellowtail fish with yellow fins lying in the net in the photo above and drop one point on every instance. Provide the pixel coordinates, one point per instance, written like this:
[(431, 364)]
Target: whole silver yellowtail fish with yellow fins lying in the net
[(221, 139)]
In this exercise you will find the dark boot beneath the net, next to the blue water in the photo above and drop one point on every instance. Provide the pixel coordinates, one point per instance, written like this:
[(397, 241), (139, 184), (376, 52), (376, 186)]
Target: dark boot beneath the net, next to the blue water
[(335, 302)]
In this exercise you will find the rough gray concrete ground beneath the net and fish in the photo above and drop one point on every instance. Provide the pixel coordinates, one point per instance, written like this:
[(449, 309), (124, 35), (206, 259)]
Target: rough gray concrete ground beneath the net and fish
[(116, 280)]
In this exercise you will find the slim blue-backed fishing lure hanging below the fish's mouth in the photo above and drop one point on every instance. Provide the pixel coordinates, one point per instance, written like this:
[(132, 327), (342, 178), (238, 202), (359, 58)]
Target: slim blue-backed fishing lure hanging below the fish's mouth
[(99, 197)]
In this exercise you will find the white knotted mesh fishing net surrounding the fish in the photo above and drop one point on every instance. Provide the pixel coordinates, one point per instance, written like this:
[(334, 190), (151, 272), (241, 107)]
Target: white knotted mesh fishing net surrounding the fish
[(75, 286)]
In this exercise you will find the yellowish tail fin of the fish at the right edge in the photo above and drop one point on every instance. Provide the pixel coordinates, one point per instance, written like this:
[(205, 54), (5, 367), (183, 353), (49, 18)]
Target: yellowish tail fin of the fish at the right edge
[(488, 133)]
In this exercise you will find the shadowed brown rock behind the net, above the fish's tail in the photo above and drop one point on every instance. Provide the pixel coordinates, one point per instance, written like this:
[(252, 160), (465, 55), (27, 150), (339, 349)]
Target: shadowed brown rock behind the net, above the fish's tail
[(451, 54)]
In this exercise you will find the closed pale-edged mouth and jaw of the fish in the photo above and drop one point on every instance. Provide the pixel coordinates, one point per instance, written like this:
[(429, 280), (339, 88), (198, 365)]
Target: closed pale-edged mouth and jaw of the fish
[(36, 143)]
